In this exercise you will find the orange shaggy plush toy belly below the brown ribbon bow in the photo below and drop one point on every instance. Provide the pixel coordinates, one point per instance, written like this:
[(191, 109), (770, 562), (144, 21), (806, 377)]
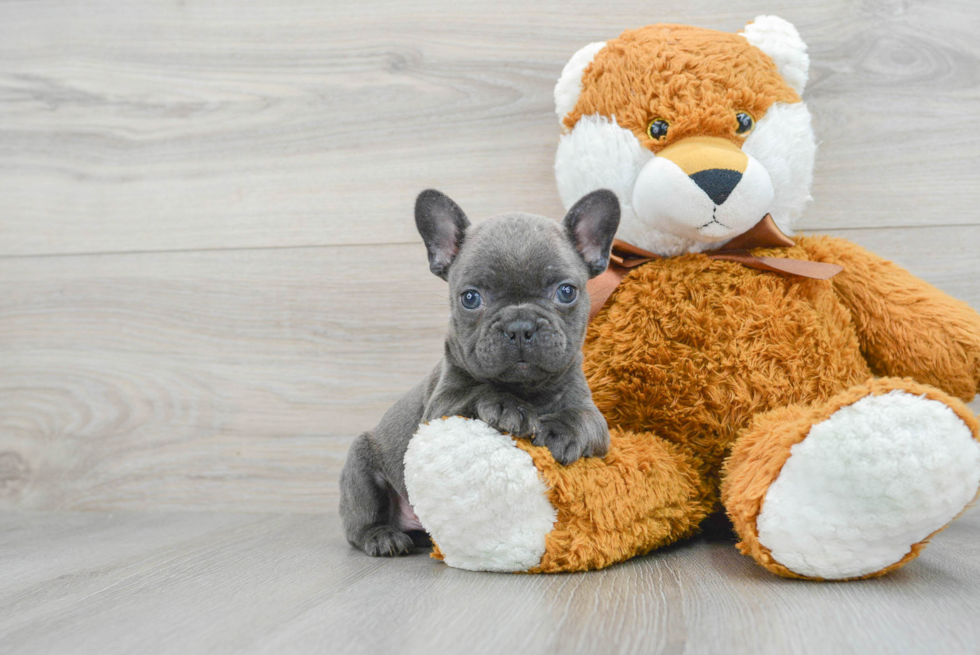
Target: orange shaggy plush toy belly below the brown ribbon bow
[(691, 348)]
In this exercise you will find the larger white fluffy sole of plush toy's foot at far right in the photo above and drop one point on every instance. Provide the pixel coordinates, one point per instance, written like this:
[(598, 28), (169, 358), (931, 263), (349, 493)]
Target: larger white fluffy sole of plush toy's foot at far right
[(866, 484)]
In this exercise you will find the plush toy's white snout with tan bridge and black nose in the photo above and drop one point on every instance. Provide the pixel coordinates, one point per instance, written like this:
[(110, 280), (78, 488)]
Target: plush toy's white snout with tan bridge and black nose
[(702, 188)]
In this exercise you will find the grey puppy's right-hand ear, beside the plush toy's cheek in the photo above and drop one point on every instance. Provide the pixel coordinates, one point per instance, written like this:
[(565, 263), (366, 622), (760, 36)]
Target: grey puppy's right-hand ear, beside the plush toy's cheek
[(591, 224)]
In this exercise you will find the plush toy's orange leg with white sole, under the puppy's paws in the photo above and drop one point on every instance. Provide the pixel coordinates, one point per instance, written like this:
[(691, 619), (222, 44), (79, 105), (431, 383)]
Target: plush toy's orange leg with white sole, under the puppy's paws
[(495, 503)]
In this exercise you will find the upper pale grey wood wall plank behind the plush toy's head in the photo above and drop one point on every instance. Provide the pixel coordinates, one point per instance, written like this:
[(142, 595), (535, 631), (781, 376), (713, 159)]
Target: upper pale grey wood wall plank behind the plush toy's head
[(167, 126)]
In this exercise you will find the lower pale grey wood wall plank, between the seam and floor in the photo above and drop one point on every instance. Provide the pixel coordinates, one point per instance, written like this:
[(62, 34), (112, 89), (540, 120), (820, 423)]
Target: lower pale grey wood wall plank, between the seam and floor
[(235, 380)]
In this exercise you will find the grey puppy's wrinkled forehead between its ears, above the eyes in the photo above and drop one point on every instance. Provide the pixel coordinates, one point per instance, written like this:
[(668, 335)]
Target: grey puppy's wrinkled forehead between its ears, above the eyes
[(517, 252)]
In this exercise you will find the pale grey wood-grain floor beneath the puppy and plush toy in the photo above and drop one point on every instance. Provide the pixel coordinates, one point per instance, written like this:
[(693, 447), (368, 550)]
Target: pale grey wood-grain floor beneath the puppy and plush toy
[(203, 582)]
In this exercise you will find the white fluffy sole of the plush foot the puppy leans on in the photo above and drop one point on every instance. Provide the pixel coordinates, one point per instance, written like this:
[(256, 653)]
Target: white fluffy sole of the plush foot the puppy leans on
[(478, 495)]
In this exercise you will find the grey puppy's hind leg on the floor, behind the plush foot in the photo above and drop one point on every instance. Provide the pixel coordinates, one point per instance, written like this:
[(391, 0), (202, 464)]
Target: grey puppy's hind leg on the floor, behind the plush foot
[(366, 504)]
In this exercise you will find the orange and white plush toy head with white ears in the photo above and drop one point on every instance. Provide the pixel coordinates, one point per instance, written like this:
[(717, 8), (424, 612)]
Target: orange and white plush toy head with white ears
[(700, 133)]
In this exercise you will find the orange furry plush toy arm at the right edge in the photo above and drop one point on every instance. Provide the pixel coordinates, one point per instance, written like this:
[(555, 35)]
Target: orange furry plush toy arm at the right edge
[(907, 327)]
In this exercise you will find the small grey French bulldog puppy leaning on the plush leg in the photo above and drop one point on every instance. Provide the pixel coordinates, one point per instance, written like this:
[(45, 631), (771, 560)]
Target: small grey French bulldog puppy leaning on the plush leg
[(513, 354)]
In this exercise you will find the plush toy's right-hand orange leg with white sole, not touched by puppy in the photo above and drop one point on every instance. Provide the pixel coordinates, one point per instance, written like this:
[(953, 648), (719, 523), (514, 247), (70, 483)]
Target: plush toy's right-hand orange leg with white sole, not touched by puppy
[(853, 487)]
